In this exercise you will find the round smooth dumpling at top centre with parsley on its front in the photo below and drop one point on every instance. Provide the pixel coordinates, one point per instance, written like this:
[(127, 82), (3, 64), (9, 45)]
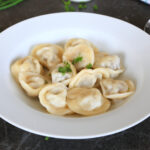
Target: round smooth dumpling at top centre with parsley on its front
[(80, 55)]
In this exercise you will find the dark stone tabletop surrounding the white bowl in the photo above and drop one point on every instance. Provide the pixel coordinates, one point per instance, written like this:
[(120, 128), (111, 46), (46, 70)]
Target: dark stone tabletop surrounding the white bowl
[(136, 138)]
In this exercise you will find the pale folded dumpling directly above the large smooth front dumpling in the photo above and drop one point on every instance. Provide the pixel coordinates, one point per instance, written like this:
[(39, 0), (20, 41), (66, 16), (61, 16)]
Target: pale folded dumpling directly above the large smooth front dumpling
[(85, 78)]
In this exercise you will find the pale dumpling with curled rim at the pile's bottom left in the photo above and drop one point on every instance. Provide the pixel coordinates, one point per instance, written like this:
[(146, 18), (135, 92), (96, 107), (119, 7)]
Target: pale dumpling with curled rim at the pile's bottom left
[(53, 98)]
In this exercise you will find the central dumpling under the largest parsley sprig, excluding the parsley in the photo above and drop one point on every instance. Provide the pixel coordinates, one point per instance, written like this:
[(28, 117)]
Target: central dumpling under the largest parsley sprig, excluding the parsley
[(60, 77)]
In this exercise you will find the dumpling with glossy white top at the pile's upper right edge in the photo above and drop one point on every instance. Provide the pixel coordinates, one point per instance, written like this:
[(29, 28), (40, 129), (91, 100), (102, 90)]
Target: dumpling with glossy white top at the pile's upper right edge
[(111, 62)]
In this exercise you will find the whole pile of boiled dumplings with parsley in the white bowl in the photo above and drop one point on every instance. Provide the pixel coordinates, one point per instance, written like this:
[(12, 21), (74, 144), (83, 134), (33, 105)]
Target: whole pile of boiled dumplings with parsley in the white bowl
[(76, 79)]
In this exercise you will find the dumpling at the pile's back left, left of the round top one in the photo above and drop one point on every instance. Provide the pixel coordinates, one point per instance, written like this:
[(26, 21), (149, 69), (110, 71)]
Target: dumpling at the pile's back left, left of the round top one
[(49, 55)]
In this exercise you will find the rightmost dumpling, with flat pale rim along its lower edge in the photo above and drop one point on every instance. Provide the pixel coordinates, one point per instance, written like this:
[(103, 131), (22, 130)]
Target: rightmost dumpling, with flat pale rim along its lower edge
[(117, 89)]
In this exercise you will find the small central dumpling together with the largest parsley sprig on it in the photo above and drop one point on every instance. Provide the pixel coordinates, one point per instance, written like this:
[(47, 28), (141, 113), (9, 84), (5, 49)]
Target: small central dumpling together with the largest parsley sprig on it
[(63, 73)]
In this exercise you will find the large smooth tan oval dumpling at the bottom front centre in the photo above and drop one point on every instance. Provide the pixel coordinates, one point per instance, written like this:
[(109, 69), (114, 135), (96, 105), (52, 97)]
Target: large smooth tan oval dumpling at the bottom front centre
[(87, 101)]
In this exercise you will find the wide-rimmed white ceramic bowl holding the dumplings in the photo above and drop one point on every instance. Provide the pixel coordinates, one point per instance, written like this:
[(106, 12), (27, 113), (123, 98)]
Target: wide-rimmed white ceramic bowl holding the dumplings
[(108, 34)]
